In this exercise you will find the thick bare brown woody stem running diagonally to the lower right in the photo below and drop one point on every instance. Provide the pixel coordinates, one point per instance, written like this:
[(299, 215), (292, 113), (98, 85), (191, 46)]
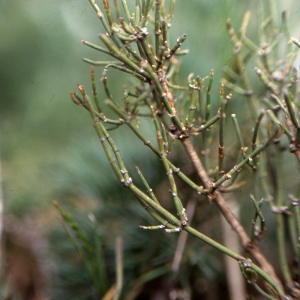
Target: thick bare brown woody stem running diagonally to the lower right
[(227, 213)]
